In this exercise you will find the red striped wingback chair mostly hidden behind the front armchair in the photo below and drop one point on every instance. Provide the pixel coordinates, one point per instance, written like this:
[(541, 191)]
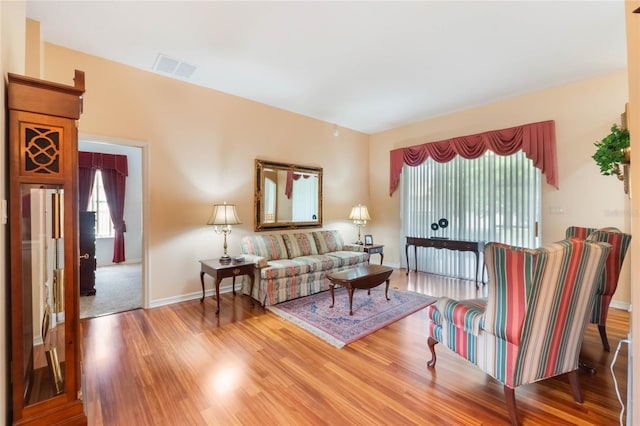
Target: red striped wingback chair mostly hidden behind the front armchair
[(609, 279)]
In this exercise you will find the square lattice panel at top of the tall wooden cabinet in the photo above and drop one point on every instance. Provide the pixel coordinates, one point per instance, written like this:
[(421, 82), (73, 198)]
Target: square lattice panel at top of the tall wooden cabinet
[(42, 150)]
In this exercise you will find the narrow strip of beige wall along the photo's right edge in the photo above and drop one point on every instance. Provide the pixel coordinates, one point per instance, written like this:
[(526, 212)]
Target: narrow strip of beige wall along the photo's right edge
[(633, 63)]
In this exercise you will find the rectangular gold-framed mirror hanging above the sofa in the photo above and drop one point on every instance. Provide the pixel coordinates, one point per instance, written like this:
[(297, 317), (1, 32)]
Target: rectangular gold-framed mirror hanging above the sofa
[(287, 196)]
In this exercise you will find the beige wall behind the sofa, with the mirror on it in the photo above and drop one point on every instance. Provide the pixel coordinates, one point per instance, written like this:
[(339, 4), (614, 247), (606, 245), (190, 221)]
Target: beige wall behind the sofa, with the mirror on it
[(201, 149)]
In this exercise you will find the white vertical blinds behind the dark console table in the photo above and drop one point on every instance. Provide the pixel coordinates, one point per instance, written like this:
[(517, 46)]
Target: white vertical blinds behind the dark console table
[(491, 198)]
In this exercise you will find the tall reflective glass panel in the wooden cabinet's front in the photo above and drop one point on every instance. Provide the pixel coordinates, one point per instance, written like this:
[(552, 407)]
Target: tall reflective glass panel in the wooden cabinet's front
[(43, 291)]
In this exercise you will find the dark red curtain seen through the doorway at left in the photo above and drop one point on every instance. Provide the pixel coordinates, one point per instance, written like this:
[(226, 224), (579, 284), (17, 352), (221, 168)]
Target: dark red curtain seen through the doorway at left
[(114, 169)]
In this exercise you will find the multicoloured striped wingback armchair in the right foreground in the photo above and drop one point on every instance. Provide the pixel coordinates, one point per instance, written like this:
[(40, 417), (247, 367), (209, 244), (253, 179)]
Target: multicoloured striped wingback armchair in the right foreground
[(531, 325)]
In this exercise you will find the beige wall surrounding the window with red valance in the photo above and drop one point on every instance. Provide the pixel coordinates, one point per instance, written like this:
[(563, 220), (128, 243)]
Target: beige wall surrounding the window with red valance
[(583, 112)]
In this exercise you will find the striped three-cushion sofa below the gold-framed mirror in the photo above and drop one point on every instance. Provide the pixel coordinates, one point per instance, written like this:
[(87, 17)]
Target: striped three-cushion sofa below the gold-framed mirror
[(297, 264)]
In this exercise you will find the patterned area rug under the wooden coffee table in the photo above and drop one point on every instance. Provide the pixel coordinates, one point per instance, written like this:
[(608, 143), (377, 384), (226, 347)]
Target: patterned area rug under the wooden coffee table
[(336, 326)]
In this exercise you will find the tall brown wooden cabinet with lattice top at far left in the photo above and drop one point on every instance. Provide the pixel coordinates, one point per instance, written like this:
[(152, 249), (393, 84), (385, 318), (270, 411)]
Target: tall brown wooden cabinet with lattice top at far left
[(43, 251)]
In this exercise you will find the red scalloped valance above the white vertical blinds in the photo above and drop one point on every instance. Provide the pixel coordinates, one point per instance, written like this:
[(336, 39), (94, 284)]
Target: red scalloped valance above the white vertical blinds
[(537, 140)]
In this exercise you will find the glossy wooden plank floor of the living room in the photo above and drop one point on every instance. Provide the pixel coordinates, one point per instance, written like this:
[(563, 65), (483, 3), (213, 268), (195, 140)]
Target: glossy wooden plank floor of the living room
[(180, 365)]
